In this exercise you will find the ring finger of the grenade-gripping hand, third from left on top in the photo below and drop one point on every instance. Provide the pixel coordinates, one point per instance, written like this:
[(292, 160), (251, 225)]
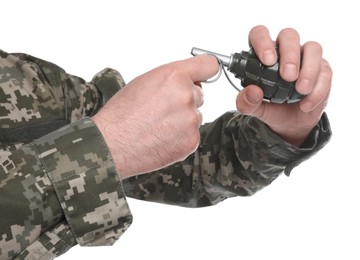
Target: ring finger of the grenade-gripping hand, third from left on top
[(310, 68)]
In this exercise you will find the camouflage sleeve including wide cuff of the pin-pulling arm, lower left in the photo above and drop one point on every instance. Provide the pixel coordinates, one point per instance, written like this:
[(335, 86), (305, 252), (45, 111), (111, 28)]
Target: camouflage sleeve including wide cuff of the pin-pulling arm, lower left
[(65, 180)]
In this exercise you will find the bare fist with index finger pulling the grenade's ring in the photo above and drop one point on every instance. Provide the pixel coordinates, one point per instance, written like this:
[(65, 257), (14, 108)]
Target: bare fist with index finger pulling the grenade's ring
[(154, 120)]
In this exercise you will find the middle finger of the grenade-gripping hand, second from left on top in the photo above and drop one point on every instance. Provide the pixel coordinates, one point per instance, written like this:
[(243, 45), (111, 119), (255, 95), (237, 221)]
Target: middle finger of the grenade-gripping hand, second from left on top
[(290, 54)]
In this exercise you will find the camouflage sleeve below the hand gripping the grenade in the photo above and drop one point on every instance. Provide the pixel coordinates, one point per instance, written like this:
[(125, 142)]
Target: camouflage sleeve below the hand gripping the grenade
[(238, 156)]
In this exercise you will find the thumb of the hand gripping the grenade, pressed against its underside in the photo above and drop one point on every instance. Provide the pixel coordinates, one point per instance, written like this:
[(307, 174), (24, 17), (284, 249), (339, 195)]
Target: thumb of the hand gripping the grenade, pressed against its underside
[(250, 101)]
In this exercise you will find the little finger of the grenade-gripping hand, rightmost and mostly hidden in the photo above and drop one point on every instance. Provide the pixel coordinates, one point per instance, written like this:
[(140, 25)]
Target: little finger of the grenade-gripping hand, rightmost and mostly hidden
[(320, 91)]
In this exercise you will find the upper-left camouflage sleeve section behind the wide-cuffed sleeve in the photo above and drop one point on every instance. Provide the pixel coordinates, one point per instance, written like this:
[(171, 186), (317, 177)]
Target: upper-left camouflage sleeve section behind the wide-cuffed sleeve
[(37, 94)]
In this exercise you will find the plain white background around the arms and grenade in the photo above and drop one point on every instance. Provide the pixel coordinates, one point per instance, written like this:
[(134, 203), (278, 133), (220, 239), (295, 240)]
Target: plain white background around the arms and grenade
[(311, 215)]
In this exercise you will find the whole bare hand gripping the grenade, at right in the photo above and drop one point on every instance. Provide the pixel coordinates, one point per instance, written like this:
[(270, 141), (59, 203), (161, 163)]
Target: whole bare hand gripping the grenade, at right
[(293, 122)]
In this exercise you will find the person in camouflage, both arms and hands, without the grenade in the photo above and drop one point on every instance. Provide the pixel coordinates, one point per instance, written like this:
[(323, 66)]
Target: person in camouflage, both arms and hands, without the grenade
[(71, 151)]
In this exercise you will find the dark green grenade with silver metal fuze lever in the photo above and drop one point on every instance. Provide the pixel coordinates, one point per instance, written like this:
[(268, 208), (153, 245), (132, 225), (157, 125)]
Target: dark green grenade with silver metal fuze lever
[(247, 67)]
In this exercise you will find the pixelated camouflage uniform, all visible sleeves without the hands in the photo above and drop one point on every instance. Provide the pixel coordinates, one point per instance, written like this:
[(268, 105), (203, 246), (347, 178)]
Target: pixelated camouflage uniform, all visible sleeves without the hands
[(58, 183)]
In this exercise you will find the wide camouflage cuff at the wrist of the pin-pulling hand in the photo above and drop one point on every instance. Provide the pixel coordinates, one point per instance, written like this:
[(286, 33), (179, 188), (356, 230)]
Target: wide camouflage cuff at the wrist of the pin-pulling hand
[(86, 182)]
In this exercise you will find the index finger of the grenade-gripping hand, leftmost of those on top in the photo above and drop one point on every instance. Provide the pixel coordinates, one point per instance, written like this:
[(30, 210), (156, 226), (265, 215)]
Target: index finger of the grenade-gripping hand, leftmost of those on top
[(260, 40)]
